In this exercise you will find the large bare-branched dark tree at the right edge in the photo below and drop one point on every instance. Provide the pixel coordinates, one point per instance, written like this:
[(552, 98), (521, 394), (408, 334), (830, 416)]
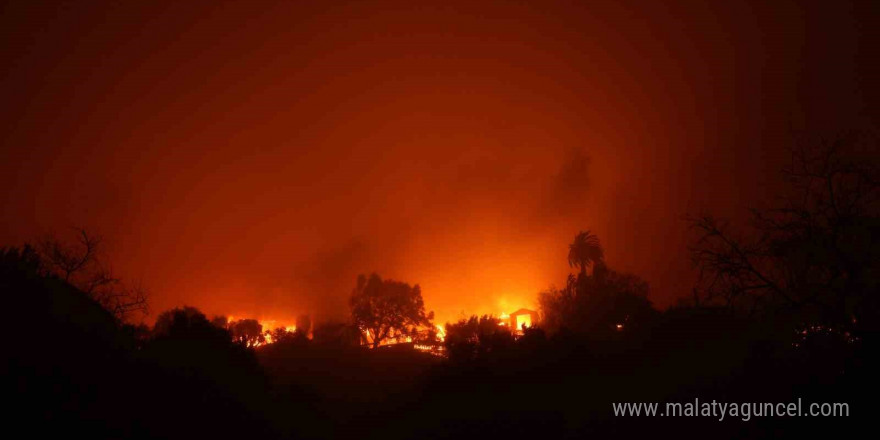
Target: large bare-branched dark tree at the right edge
[(814, 255)]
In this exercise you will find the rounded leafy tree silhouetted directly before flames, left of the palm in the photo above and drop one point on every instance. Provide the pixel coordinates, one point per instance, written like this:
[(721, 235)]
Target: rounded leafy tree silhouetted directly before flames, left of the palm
[(382, 308)]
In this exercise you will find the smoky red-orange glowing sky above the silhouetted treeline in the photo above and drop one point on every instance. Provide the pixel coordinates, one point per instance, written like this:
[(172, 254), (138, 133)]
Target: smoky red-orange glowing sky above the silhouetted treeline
[(254, 157)]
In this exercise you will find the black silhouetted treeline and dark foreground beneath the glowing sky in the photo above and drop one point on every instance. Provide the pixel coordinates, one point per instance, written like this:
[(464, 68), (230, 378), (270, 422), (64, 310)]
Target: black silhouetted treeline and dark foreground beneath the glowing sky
[(786, 308)]
